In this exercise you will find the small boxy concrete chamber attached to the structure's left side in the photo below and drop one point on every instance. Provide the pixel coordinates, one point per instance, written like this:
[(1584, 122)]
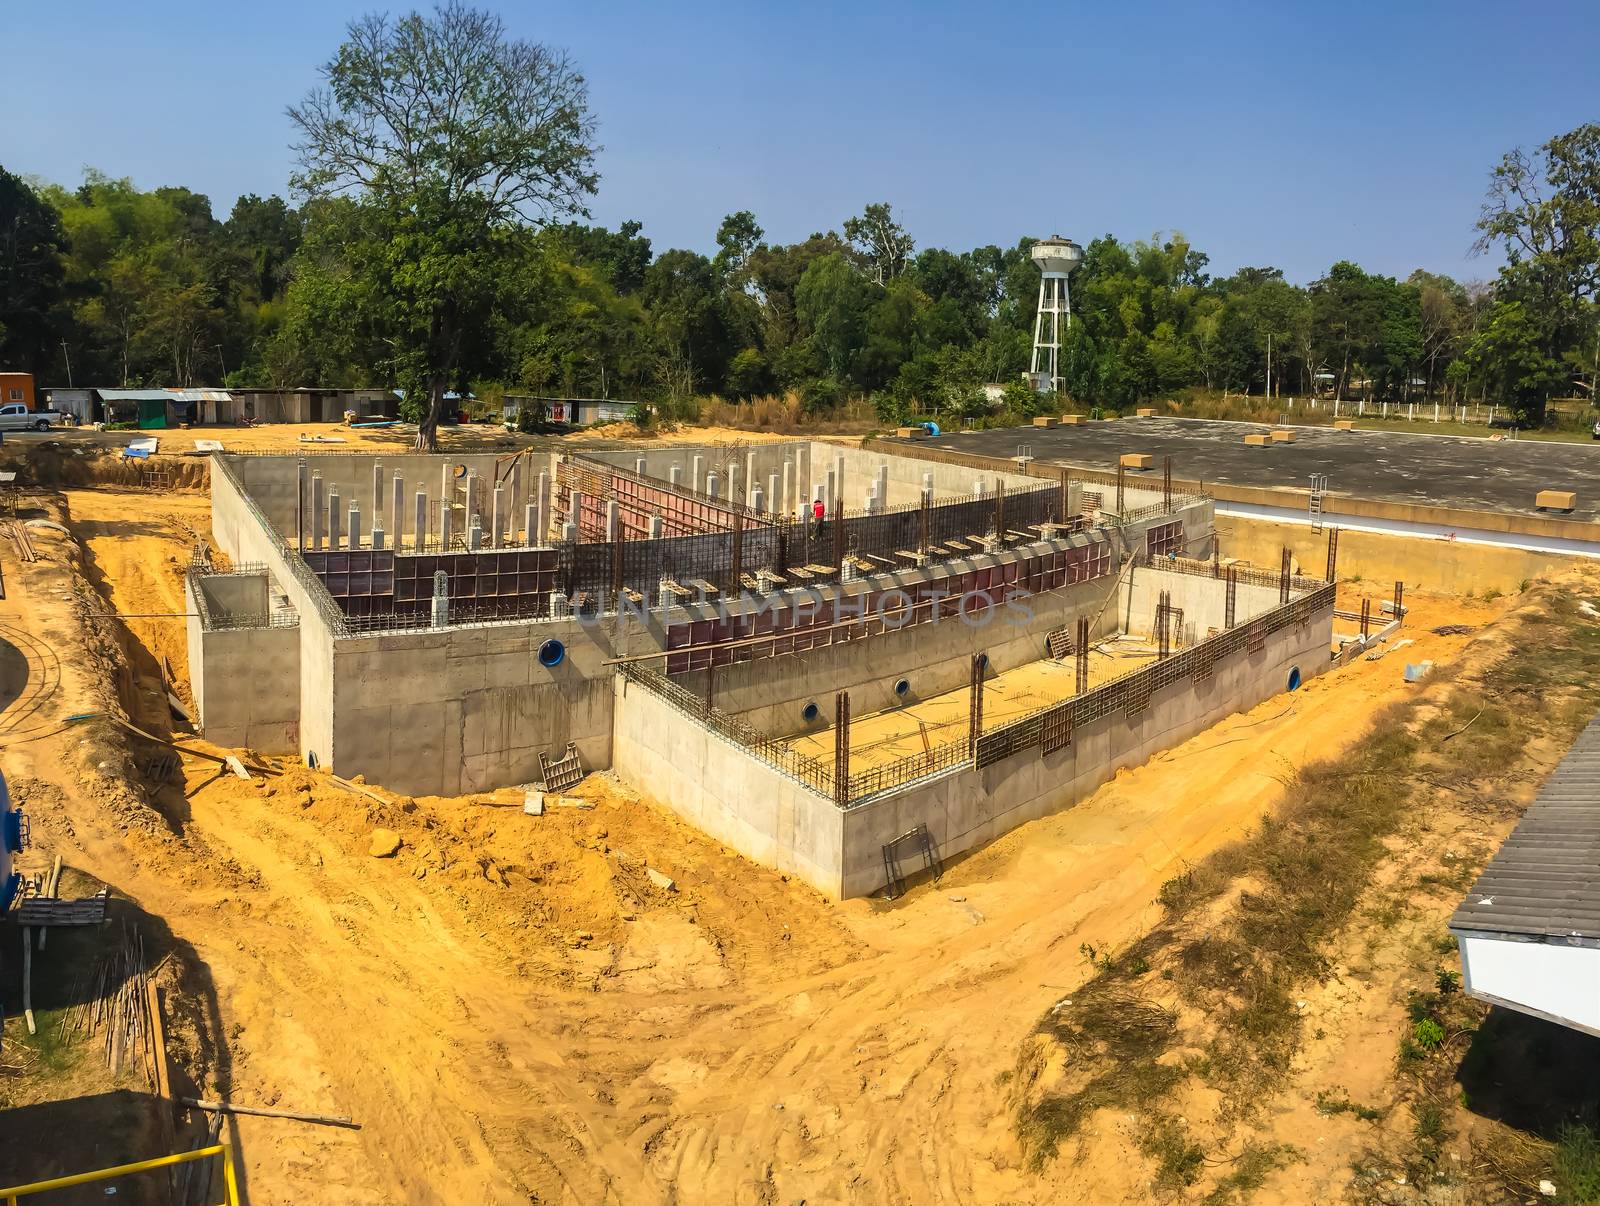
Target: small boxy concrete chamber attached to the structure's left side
[(246, 681)]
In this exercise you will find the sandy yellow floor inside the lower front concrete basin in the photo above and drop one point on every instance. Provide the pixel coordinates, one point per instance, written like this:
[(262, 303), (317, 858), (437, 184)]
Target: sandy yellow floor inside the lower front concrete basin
[(887, 737)]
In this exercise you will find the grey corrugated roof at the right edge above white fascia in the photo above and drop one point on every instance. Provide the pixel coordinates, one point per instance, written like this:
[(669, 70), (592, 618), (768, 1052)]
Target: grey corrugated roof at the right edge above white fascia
[(1545, 882)]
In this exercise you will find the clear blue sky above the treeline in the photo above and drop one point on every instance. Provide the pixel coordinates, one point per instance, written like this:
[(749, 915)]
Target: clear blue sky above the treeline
[(1270, 134)]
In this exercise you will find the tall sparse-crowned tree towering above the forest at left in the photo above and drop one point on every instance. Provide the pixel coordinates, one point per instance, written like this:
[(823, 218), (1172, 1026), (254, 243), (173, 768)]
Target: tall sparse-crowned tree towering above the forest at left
[(455, 140)]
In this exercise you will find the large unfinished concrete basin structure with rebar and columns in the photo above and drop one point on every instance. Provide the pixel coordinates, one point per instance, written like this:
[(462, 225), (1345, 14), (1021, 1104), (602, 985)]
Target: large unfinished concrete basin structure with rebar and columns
[(446, 625)]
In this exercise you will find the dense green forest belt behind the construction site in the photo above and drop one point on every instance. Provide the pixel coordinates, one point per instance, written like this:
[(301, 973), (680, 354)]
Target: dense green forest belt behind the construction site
[(114, 286)]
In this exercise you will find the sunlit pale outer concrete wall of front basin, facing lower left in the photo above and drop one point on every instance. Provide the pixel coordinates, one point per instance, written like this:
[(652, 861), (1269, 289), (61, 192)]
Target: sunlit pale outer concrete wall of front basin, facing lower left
[(726, 793)]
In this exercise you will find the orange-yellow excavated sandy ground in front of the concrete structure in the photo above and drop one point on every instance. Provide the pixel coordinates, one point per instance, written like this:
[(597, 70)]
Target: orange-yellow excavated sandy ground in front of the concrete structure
[(514, 1015)]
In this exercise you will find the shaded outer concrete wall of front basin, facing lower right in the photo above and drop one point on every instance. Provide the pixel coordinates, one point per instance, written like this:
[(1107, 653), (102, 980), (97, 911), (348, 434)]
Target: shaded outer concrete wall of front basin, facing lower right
[(967, 809)]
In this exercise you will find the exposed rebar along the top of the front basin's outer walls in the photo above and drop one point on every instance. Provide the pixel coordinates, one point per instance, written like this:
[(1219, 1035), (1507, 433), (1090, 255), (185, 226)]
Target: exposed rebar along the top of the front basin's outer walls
[(1046, 730)]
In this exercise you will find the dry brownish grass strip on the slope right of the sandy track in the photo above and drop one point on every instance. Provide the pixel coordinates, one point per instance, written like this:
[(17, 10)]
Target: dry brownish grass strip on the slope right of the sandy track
[(1306, 871)]
